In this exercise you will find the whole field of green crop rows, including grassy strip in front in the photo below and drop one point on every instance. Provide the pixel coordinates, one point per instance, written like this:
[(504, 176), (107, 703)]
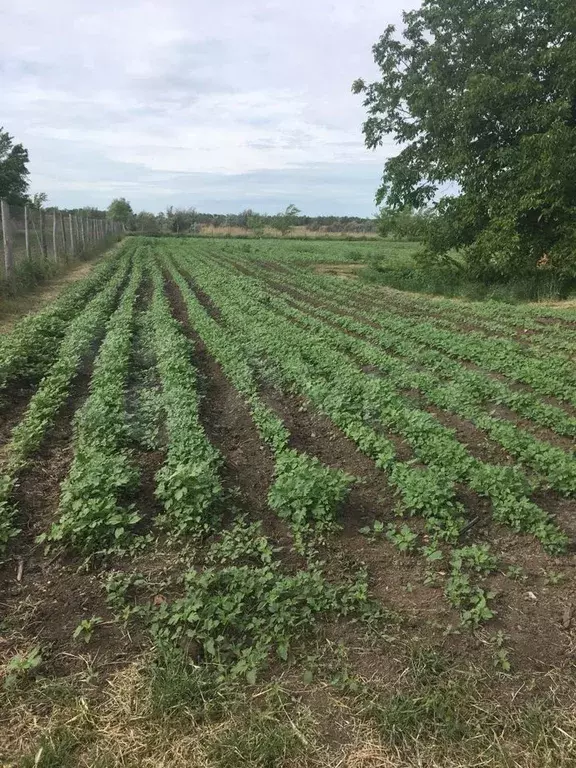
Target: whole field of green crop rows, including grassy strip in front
[(256, 512)]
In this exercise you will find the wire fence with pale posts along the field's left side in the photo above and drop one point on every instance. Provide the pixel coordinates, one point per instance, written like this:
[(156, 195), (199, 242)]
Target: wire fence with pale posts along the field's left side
[(31, 235)]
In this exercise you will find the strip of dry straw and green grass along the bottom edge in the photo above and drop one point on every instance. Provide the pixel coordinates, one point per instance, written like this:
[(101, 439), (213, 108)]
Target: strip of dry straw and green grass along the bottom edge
[(162, 710)]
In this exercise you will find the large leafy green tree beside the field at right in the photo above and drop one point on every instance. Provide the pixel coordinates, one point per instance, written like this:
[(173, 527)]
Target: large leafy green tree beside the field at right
[(481, 96)]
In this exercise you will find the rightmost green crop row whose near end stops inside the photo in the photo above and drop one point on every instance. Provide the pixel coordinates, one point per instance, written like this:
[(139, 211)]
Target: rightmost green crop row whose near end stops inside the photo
[(300, 356)]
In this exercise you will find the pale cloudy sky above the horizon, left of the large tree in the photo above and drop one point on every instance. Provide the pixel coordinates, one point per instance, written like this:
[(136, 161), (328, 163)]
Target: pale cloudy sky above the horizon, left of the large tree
[(220, 104)]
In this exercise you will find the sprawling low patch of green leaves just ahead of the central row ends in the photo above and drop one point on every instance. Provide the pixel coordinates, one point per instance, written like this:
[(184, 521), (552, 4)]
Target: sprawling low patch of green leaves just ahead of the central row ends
[(238, 615)]
